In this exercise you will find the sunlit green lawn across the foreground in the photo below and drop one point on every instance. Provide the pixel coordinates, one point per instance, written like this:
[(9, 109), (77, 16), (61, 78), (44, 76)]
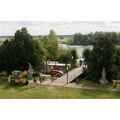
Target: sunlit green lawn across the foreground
[(33, 91)]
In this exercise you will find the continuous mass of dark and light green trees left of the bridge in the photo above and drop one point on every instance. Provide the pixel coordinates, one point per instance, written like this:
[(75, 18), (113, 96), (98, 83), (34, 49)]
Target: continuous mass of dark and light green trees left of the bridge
[(16, 53)]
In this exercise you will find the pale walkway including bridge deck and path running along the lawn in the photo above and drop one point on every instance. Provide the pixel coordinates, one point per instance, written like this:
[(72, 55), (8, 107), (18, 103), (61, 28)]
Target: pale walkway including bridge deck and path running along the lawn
[(62, 81)]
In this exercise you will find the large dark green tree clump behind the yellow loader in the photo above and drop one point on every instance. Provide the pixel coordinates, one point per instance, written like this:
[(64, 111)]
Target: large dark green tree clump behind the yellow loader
[(19, 51)]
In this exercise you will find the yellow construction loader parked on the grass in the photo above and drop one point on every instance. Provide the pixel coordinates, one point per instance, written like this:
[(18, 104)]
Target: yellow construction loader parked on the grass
[(18, 77)]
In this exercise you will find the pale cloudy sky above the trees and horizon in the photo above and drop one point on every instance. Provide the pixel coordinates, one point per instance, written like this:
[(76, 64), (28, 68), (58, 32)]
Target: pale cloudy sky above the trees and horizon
[(60, 27)]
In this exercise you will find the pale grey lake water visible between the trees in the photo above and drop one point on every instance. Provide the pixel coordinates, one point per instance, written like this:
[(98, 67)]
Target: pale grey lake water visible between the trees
[(78, 48)]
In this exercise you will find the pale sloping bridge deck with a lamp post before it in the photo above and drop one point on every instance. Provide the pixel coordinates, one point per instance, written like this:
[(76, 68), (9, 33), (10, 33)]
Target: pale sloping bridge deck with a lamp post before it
[(62, 81)]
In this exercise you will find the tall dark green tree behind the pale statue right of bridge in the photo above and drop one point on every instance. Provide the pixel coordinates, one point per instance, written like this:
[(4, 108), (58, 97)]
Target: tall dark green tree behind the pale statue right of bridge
[(101, 57)]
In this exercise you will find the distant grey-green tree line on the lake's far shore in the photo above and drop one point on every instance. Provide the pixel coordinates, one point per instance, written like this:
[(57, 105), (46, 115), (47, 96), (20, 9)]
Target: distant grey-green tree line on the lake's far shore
[(88, 39)]
